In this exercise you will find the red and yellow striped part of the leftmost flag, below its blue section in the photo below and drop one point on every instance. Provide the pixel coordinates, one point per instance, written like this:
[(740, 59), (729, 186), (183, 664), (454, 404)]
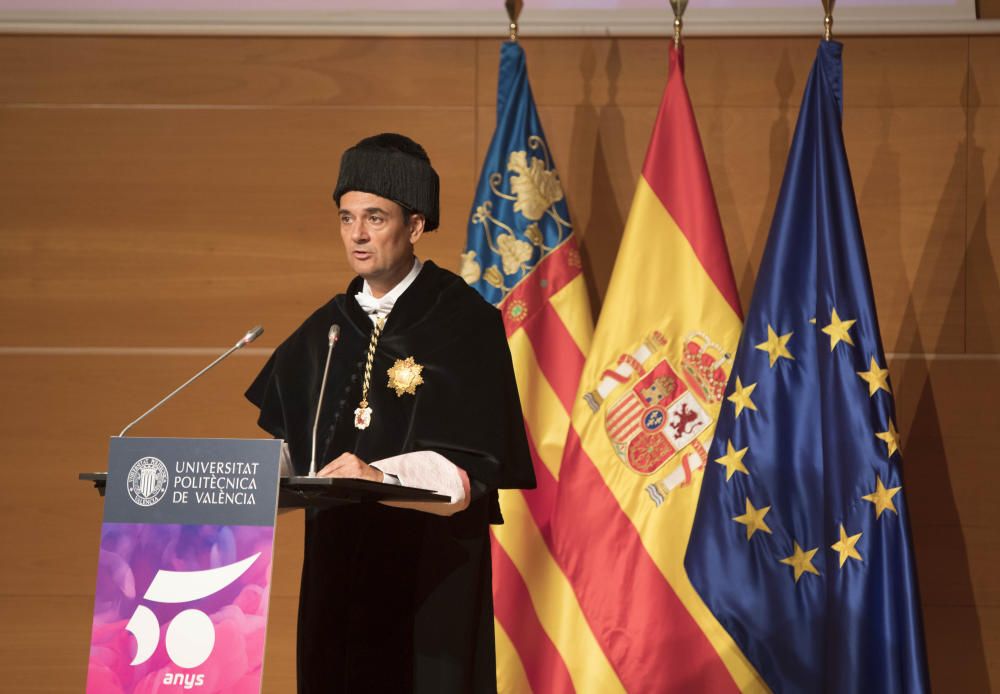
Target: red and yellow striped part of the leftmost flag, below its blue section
[(544, 643)]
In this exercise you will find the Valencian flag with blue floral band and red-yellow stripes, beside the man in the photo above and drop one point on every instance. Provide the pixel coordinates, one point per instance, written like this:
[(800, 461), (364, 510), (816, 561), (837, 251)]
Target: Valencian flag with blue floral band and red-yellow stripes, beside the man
[(521, 255)]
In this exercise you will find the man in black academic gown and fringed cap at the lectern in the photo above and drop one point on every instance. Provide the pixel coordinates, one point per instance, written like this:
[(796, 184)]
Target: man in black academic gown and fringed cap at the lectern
[(420, 392)]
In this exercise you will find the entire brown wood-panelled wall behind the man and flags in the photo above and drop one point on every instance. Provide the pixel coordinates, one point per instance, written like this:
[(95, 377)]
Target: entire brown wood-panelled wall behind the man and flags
[(158, 196)]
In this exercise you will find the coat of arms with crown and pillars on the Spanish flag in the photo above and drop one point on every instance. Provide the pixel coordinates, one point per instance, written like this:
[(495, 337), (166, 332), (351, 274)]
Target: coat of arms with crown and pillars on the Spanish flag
[(664, 409)]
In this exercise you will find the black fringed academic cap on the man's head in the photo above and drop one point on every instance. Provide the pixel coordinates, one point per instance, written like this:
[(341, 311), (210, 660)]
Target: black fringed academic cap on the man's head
[(395, 167)]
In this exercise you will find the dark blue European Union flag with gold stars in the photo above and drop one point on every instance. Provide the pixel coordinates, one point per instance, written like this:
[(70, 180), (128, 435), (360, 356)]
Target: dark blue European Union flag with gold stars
[(800, 546)]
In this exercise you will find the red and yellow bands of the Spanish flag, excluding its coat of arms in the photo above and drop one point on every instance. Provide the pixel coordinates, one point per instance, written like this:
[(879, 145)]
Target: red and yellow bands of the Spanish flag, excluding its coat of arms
[(622, 554)]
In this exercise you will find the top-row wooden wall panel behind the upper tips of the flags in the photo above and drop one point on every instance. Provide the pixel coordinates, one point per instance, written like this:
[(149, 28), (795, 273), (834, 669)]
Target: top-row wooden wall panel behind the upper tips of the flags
[(734, 72)]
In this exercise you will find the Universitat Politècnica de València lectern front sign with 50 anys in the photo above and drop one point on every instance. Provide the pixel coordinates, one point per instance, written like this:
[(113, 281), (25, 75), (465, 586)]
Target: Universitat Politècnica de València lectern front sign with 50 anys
[(185, 566)]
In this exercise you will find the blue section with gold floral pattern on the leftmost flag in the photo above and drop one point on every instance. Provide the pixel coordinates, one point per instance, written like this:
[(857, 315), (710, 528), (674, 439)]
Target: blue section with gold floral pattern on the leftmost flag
[(519, 215)]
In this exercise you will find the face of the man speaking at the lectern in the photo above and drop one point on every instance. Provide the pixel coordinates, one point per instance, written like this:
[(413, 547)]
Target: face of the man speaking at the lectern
[(377, 239)]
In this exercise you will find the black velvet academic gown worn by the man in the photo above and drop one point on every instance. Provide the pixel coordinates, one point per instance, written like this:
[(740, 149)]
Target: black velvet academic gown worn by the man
[(396, 600)]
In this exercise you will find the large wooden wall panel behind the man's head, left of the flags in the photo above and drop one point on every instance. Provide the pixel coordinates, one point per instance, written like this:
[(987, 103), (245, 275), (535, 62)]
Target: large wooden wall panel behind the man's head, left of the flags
[(167, 227)]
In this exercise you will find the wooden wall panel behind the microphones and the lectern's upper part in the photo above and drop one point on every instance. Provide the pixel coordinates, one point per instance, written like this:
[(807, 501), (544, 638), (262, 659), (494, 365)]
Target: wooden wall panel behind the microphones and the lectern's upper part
[(67, 408)]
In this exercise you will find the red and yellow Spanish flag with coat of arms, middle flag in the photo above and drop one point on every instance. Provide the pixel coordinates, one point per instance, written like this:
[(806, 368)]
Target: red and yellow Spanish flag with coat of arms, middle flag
[(649, 398)]
